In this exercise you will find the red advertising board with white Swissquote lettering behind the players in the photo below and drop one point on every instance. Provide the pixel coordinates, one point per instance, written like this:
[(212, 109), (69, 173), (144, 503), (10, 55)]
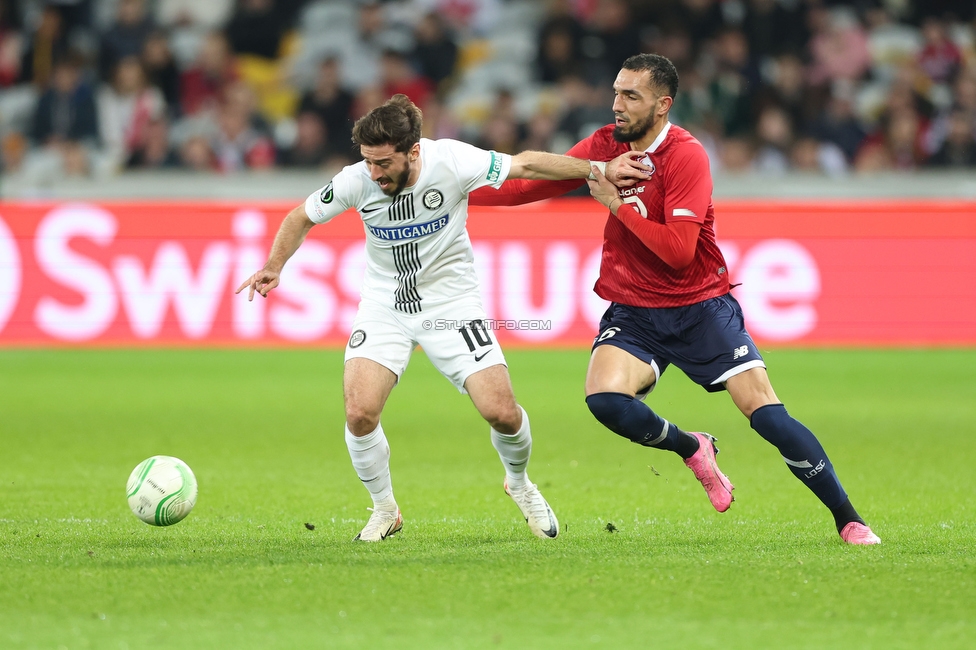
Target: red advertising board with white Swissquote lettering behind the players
[(879, 273)]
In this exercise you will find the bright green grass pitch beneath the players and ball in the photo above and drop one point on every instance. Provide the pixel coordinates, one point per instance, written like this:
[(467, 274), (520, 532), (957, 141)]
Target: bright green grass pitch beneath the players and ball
[(263, 432)]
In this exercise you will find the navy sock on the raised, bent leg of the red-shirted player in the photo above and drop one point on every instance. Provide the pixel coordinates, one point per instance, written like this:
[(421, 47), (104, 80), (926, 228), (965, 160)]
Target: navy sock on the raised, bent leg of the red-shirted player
[(629, 417)]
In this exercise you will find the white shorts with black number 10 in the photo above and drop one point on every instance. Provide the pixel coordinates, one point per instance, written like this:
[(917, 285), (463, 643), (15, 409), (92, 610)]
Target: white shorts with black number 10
[(451, 334)]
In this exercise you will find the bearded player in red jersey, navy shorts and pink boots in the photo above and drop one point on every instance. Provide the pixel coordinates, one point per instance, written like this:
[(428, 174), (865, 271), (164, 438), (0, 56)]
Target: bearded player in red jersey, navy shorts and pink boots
[(671, 300)]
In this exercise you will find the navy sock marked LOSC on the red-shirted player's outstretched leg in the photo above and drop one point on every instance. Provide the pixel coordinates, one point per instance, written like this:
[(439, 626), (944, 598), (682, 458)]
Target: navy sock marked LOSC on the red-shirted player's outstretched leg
[(802, 452)]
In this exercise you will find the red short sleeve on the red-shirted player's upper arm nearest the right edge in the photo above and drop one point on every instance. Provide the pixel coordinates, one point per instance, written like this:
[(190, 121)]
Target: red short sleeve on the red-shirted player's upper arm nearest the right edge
[(688, 189)]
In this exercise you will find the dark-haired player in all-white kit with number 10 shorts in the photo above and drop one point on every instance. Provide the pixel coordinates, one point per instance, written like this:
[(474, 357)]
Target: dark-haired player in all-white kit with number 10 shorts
[(412, 195)]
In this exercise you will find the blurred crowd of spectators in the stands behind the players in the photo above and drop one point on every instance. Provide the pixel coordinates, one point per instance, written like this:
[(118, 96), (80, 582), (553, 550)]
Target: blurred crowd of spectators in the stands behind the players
[(97, 87)]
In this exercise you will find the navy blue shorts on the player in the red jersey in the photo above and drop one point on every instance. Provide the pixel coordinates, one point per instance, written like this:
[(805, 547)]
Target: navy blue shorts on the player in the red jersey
[(708, 341)]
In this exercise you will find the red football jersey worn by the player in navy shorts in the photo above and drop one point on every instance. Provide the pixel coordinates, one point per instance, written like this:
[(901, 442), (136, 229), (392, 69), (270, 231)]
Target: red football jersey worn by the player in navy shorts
[(679, 189)]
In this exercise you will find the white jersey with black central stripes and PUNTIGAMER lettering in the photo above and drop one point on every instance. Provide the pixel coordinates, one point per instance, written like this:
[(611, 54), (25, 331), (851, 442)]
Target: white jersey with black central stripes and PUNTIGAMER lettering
[(417, 249)]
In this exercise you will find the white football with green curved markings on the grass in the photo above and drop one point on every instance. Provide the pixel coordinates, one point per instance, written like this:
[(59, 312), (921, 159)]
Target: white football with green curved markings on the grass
[(161, 490)]
